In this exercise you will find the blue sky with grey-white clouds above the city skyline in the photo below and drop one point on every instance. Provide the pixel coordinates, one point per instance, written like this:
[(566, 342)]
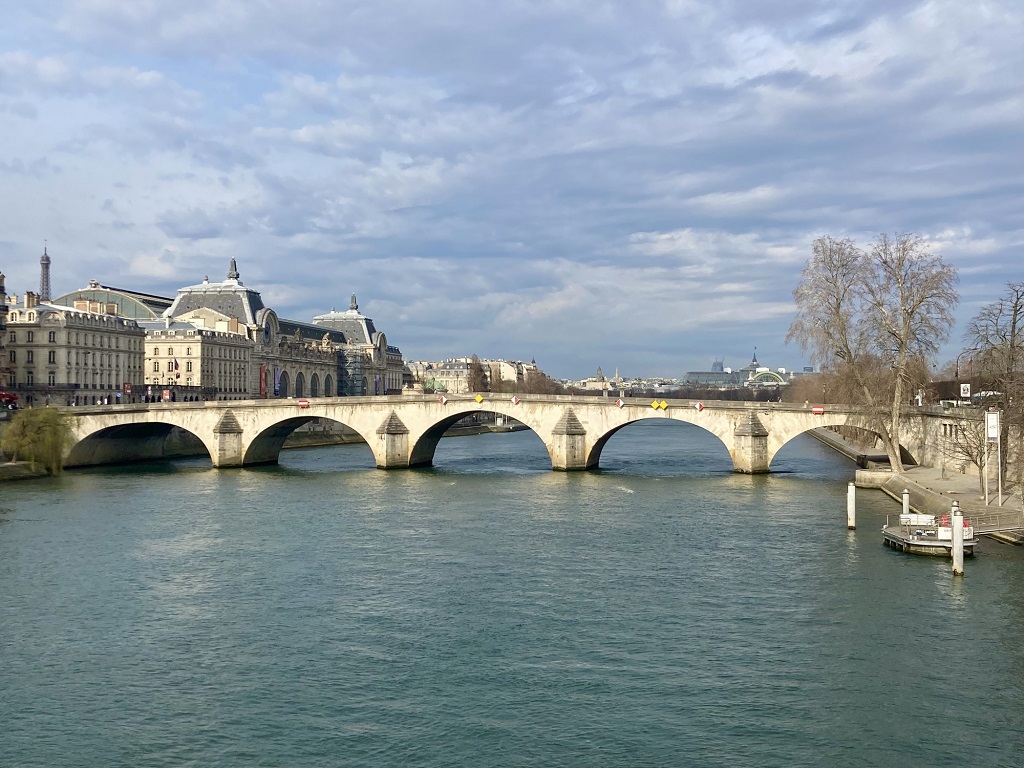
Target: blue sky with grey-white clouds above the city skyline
[(632, 186)]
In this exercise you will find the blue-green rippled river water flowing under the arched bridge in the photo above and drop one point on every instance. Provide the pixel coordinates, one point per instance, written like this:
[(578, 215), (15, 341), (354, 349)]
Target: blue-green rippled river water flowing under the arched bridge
[(662, 612)]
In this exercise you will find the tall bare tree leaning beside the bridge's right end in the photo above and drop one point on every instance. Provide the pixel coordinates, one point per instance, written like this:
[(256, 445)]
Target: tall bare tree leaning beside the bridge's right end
[(874, 318)]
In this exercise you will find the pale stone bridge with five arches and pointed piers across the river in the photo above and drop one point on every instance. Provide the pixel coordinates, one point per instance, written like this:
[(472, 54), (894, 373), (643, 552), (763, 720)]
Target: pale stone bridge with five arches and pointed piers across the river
[(404, 432)]
